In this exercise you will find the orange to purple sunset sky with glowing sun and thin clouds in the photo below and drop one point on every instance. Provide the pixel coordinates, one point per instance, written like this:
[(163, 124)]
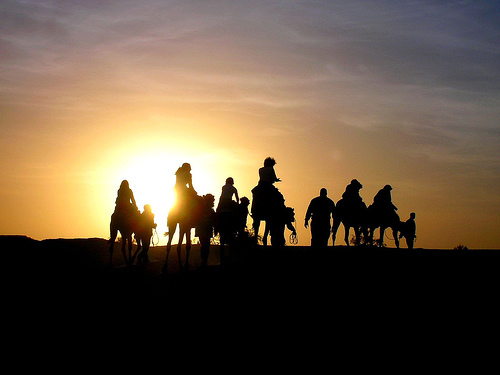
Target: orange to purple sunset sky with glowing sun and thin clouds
[(404, 93)]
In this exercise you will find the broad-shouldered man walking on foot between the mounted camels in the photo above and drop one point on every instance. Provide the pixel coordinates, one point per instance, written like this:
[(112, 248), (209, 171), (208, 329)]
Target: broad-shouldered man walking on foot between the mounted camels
[(321, 210)]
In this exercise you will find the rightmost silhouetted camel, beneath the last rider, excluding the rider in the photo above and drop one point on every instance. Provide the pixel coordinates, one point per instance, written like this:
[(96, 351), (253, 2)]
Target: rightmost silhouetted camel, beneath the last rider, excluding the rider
[(382, 219)]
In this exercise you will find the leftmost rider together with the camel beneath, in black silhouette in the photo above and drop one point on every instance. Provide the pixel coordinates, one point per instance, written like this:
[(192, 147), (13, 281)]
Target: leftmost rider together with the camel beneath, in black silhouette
[(124, 220)]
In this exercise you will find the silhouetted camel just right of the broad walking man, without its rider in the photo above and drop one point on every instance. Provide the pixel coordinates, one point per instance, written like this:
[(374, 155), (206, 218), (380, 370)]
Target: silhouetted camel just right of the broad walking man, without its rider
[(351, 216)]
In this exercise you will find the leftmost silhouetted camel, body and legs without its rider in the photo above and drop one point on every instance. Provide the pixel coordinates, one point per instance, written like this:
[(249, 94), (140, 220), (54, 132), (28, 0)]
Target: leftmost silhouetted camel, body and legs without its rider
[(124, 222)]
